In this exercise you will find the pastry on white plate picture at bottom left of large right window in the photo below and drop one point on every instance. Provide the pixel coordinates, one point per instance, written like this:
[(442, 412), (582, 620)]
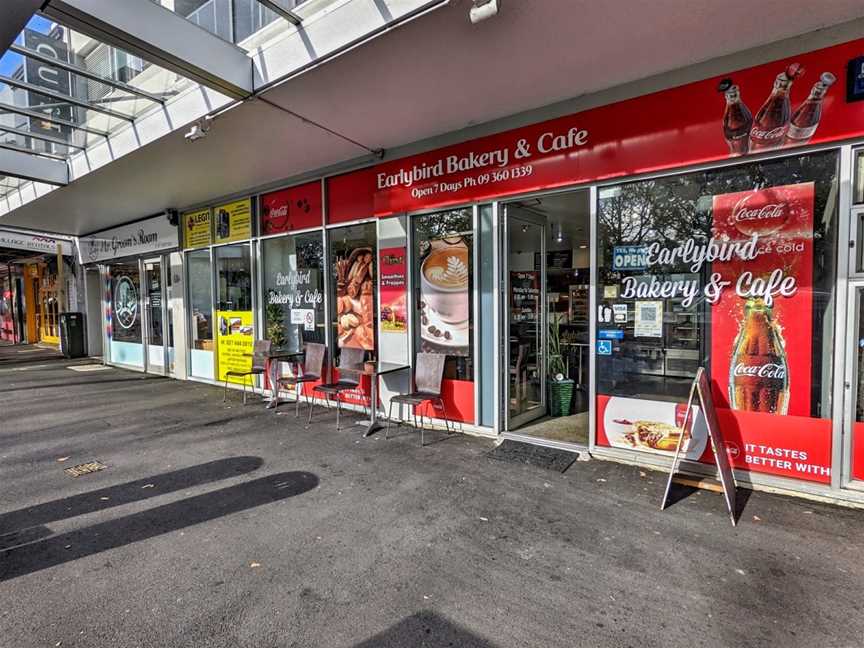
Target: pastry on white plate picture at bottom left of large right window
[(653, 426)]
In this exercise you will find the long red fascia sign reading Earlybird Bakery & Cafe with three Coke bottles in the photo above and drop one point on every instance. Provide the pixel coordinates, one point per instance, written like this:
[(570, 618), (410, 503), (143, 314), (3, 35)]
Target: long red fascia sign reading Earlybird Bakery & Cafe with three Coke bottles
[(782, 104)]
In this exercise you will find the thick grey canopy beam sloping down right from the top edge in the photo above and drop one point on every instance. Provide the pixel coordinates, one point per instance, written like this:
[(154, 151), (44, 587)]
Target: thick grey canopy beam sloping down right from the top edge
[(160, 36)]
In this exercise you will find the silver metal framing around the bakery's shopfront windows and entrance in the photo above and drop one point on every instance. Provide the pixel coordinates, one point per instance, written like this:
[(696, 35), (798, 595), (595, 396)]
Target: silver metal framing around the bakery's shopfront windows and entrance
[(486, 375)]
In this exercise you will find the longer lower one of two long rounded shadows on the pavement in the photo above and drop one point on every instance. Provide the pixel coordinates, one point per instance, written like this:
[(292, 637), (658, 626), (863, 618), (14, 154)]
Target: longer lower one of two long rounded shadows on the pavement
[(136, 527)]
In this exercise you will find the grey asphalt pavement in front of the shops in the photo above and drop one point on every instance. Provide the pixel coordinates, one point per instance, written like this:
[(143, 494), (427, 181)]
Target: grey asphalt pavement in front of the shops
[(228, 526)]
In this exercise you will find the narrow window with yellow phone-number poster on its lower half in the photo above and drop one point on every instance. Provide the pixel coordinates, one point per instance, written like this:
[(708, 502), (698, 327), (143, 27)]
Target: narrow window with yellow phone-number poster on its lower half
[(235, 331)]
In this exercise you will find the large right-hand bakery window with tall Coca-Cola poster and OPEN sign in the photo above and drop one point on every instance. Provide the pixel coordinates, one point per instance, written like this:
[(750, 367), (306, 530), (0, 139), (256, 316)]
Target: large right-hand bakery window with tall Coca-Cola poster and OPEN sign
[(732, 269)]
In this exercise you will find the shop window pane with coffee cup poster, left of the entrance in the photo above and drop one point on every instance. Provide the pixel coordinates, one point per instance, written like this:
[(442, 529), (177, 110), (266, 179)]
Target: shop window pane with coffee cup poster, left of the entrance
[(444, 288)]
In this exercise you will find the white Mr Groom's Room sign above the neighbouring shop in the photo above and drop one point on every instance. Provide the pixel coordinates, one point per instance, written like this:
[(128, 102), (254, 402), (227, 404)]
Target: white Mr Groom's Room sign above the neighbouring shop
[(144, 237)]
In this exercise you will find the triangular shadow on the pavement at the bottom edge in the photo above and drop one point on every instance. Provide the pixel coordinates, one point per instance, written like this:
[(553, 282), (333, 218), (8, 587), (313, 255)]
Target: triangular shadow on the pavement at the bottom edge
[(425, 629)]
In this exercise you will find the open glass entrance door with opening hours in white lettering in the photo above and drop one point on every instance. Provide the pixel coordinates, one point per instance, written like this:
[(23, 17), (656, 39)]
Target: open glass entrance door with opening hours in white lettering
[(524, 316)]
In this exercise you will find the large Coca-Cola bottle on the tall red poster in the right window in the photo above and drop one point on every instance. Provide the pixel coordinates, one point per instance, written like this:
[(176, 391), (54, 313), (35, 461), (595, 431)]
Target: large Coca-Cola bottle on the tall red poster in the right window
[(758, 371)]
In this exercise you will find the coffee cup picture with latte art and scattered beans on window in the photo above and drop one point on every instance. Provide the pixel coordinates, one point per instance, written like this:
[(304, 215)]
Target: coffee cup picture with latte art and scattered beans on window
[(445, 298)]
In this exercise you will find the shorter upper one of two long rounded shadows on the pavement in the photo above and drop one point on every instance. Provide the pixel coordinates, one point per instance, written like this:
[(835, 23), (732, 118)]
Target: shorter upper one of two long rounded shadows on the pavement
[(120, 494)]
